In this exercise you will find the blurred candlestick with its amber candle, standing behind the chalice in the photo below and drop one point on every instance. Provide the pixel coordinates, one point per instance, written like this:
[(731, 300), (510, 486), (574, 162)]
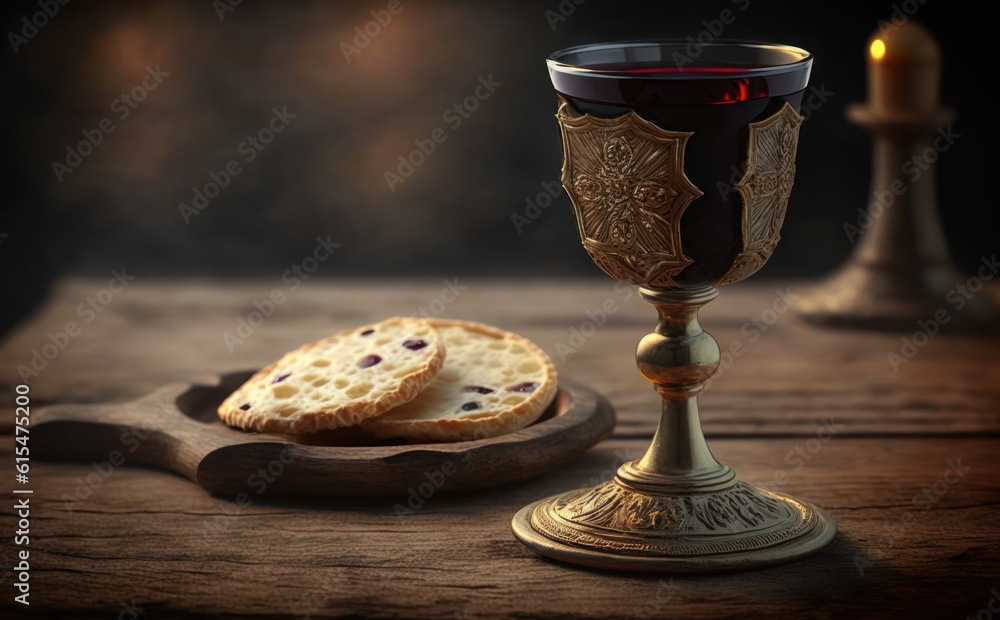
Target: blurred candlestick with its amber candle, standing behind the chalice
[(900, 271)]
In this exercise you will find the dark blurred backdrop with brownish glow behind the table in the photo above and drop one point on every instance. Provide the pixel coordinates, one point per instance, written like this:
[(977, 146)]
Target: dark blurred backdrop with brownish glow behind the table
[(324, 174)]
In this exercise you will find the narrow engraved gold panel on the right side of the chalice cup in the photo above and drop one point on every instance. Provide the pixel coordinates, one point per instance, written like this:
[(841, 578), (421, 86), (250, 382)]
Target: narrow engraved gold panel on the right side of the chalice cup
[(764, 189)]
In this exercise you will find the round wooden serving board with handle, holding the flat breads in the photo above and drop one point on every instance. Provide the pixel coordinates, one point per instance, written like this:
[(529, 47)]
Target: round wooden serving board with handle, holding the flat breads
[(176, 428)]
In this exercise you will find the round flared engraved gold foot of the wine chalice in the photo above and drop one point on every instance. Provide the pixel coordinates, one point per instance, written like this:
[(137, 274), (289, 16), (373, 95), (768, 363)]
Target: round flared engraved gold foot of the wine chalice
[(618, 526)]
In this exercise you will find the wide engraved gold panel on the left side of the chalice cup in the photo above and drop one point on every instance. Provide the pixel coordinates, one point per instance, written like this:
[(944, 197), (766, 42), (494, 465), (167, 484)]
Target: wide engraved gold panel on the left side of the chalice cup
[(625, 178)]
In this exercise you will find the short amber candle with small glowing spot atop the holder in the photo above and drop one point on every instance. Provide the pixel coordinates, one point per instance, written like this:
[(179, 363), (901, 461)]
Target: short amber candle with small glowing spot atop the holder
[(904, 71)]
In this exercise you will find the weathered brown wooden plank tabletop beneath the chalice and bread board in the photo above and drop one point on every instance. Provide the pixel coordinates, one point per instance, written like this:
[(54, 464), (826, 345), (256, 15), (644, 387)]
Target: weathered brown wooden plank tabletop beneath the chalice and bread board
[(153, 544)]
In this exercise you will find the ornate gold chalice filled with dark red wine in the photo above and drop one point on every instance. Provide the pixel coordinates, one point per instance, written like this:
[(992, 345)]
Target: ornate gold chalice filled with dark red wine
[(679, 171)]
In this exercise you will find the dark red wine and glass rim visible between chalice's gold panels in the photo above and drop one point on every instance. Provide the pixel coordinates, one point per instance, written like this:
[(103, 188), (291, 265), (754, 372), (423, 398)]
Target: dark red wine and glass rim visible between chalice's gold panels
[(715, 96)]
